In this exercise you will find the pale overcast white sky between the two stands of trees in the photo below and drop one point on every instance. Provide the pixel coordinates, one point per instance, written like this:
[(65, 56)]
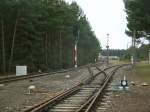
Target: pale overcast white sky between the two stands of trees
[(107, 17)]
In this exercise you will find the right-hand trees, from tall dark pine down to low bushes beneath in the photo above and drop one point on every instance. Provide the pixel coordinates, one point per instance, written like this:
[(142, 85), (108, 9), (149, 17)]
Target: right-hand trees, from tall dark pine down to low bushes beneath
[(138, 17)]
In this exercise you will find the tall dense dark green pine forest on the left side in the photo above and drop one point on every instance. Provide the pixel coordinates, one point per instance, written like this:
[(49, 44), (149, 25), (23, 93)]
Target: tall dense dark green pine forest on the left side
[(41, 34)]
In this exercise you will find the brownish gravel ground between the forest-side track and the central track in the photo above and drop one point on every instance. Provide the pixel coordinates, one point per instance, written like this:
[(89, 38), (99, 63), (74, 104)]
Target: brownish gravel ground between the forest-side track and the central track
[(15, 97)]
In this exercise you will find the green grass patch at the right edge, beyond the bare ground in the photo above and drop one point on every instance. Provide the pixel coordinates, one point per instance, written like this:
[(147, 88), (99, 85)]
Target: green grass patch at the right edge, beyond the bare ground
[(143, 71)]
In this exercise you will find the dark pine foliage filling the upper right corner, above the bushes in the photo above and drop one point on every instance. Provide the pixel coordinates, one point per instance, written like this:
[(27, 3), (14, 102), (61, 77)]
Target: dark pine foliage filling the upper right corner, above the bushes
[(138, 17)]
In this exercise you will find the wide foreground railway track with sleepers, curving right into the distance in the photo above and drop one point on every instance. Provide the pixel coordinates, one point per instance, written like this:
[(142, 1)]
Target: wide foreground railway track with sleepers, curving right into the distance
[(80, 98)]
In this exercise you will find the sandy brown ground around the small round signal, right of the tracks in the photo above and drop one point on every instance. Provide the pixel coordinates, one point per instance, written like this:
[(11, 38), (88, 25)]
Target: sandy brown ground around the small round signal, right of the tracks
[(134, 99)]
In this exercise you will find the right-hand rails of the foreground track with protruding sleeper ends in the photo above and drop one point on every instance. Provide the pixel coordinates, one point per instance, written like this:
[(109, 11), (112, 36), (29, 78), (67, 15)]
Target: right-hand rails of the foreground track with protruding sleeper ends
[(99, 102)]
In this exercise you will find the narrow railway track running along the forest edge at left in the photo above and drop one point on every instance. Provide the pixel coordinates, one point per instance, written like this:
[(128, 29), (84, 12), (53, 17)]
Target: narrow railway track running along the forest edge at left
[(16, 78)]
